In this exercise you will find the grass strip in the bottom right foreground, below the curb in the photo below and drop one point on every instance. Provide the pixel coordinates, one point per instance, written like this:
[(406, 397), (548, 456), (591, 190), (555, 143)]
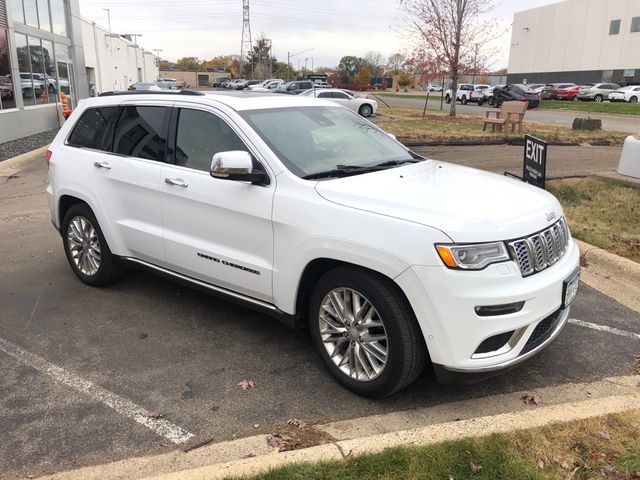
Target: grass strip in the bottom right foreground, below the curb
[(602, 447)]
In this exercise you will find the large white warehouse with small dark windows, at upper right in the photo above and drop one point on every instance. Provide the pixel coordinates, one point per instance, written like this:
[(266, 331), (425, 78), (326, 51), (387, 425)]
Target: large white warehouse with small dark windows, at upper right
[(580, 41)]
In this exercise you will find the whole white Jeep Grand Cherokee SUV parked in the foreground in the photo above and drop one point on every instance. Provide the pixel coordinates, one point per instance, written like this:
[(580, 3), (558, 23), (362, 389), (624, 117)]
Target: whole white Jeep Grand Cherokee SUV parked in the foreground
[(303, 209)]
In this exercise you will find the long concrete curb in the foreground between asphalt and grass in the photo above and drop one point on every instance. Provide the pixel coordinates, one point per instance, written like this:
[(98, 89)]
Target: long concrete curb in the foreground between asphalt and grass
[(465, 418)]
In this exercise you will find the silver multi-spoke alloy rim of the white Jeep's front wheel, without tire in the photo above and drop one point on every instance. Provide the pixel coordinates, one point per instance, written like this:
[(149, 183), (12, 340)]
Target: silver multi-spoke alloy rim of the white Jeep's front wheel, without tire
[(353, 334)]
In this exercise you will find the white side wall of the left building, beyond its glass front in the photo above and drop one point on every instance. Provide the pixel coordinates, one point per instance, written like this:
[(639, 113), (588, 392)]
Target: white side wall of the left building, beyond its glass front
[(113, 62)]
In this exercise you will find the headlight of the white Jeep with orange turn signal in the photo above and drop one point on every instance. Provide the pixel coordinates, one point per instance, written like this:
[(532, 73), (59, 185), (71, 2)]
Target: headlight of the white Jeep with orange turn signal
[(472, 257)]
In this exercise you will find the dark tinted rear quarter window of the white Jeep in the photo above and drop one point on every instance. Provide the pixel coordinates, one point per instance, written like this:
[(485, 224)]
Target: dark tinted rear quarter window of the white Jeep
[(95, 129)]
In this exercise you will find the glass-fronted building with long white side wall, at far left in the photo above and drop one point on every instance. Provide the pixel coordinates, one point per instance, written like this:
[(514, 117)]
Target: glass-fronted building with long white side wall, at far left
[(46, 51)]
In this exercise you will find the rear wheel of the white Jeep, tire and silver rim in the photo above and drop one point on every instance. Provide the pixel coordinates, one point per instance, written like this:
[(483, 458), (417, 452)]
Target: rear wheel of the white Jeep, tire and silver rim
[(86, 248)]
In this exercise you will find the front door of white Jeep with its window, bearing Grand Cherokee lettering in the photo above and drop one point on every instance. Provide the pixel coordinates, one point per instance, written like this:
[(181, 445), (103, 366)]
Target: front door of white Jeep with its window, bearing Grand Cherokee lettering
[(217, 231)]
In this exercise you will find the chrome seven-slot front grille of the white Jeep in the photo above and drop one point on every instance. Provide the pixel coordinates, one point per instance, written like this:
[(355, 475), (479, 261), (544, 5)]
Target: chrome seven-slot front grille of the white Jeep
[(540, 250)]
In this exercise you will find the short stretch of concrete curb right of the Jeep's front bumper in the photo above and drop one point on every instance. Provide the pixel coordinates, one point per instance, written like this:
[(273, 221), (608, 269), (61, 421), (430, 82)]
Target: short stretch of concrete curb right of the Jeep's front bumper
[(615, 276)]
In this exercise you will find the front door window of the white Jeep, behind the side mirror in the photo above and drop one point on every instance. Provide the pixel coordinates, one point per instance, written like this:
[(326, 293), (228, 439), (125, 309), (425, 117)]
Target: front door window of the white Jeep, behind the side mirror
[(200, 136)]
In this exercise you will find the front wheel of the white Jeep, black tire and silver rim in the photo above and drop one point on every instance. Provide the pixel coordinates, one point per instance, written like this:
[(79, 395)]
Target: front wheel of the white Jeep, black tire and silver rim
[(365, 332)]
